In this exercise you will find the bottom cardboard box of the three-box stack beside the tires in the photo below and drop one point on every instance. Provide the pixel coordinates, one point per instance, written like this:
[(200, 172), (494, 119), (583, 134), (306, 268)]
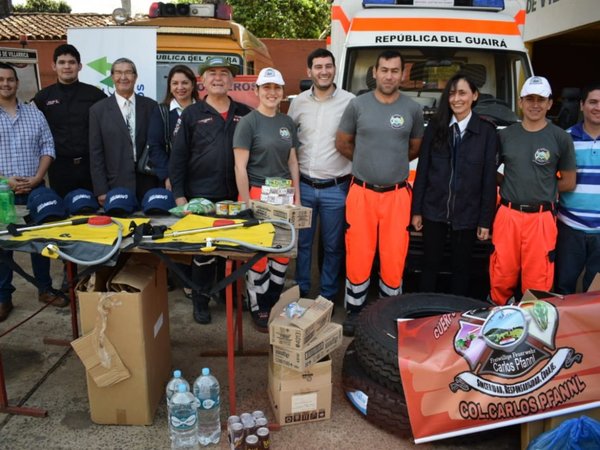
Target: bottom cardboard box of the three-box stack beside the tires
[(300, 397)]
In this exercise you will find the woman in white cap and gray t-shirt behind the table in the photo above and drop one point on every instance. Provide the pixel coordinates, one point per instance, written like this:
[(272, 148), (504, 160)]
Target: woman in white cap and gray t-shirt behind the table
[(264, 145)]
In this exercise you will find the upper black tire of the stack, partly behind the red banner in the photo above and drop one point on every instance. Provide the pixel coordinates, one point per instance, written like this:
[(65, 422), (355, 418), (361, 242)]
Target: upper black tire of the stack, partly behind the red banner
[(376, 331)]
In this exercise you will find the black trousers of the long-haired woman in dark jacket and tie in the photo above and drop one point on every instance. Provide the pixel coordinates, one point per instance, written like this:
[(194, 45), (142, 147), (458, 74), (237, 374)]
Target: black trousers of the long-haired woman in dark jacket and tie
[(435, 237)]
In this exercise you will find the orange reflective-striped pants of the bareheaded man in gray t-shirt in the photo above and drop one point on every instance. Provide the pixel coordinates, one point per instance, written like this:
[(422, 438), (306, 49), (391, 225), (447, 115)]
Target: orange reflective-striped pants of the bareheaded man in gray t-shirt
[(376, 220)]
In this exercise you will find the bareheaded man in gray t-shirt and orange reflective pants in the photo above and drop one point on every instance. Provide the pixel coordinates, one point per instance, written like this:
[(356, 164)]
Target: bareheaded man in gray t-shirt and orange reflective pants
[(380, 132)]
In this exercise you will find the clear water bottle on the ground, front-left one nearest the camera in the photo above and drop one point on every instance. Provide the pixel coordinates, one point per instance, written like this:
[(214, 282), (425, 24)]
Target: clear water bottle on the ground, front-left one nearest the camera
[(183, 419)]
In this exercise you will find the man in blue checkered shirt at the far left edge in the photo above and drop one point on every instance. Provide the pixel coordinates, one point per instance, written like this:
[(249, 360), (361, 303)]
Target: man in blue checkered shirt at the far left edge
[(26, 152)]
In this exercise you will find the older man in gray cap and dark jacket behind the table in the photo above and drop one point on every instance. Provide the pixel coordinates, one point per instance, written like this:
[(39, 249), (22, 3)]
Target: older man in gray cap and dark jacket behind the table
[(201, 162)]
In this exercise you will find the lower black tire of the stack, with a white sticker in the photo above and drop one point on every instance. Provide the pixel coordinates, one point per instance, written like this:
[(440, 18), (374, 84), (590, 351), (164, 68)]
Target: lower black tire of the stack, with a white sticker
[(385, 408)]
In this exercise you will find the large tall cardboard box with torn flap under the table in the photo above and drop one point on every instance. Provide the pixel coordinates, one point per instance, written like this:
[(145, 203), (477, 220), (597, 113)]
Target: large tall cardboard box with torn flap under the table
[(137, 324)]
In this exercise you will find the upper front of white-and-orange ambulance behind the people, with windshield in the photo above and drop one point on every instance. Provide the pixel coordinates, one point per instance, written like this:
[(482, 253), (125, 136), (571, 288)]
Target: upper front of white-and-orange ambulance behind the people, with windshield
[(436, 38)]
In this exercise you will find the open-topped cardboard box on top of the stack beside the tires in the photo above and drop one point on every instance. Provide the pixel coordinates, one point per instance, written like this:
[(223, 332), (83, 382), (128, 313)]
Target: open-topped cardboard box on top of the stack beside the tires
[(296, 333)]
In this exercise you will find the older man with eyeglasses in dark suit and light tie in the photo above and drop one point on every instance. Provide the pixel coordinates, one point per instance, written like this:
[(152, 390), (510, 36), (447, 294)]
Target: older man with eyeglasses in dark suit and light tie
[(118, 132)]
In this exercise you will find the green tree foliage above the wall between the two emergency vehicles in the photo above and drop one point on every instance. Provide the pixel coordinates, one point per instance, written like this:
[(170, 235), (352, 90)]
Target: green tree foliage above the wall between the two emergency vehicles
[(292, 19)]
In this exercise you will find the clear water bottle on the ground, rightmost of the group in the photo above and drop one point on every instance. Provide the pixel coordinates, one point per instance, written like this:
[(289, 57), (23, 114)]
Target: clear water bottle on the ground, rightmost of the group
[(206, 390)]
